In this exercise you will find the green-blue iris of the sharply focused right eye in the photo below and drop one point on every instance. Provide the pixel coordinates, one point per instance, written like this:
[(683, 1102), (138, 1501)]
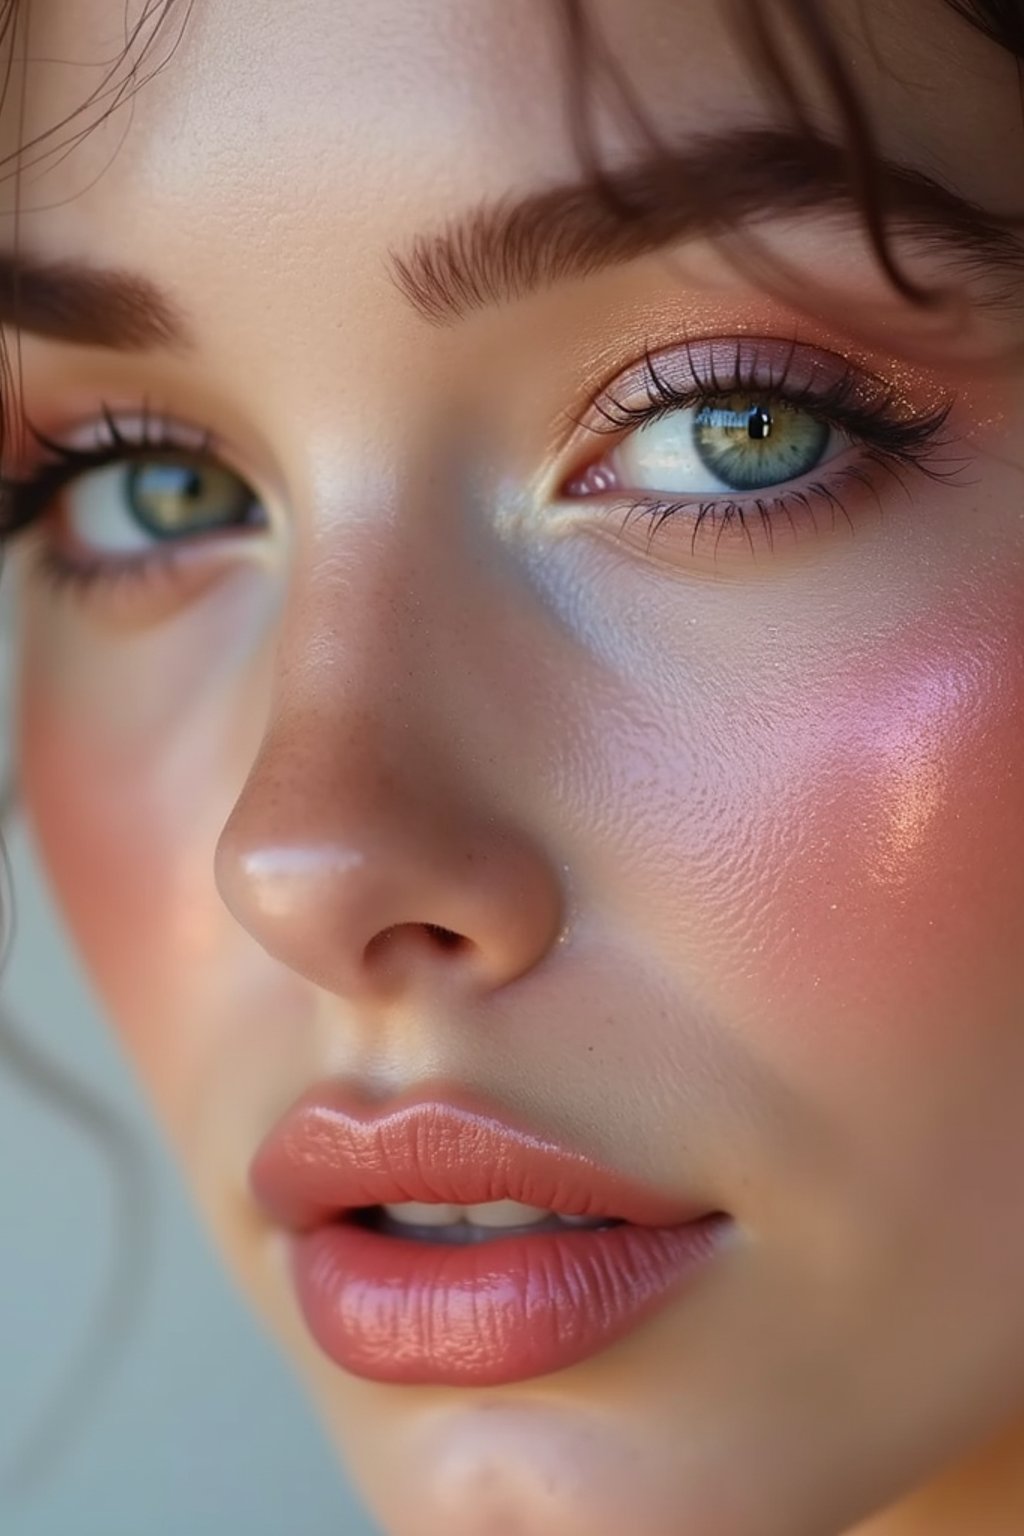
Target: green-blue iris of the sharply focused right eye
[(748, 445)]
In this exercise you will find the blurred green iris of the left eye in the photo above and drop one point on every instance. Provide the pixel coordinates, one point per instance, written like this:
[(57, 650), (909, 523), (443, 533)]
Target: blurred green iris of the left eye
[(182, 495)]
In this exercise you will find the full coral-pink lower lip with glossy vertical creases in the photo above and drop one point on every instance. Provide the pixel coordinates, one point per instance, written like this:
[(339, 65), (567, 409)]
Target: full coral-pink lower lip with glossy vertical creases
[(491, 1314)]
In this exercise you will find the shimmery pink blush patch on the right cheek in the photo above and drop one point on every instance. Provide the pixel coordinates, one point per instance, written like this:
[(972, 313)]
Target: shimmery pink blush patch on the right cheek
[(900, 898)]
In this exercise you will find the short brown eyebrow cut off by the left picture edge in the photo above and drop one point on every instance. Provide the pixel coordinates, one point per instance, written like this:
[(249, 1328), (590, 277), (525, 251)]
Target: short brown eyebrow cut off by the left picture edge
[(87, 306)]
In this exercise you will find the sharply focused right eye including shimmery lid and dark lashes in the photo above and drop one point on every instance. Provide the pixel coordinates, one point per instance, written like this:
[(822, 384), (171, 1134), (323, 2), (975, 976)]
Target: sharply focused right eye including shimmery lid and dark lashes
[(736, 439)]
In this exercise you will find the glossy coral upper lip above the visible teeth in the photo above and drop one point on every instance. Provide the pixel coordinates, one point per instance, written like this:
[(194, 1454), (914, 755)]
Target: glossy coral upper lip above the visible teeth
[(331, 1156)]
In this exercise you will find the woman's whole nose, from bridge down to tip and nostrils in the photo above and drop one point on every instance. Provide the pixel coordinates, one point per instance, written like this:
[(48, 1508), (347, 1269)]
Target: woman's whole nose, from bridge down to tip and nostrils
[(366, 850)]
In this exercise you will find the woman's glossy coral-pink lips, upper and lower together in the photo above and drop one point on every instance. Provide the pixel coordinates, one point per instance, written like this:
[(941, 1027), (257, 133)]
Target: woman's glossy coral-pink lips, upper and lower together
[(411, 1311)]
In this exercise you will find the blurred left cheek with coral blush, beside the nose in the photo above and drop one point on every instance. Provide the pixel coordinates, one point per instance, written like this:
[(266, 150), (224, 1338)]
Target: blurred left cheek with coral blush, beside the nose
[(128, 787)]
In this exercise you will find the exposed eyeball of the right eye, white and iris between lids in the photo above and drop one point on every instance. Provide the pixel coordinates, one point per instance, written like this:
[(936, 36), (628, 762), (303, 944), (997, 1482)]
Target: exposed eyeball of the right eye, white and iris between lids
[(736, 443)]
